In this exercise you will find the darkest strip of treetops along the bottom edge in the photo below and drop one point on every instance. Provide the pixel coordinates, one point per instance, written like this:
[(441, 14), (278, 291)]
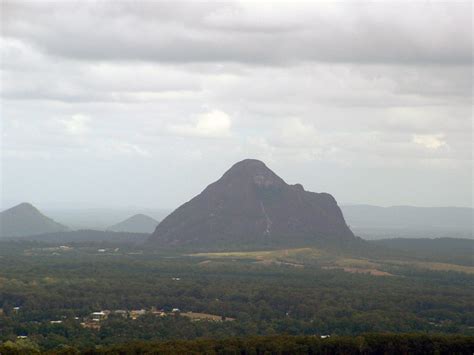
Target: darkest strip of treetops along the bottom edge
[(364, 345)]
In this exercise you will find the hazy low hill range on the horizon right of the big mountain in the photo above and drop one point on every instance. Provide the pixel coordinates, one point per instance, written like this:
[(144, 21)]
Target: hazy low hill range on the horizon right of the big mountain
[(374, 222)]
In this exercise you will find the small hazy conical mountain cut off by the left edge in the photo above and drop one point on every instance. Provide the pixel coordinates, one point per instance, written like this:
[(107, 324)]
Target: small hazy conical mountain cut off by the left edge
[(25, 219)]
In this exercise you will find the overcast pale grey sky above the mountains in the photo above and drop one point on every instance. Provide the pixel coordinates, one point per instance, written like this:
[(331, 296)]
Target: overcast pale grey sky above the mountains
[(118, 104)]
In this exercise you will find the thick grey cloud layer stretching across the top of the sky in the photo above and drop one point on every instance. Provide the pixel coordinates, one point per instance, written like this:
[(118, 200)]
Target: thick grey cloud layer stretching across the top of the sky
[(179, 33)]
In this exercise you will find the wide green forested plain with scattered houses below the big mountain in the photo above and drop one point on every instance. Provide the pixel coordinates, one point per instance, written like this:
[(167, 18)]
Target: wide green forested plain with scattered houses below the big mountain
[(49, 293)]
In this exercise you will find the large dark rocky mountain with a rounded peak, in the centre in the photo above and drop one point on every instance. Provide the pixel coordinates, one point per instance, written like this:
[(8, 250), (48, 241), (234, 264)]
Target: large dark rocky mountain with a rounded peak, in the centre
[(251, 205)]
